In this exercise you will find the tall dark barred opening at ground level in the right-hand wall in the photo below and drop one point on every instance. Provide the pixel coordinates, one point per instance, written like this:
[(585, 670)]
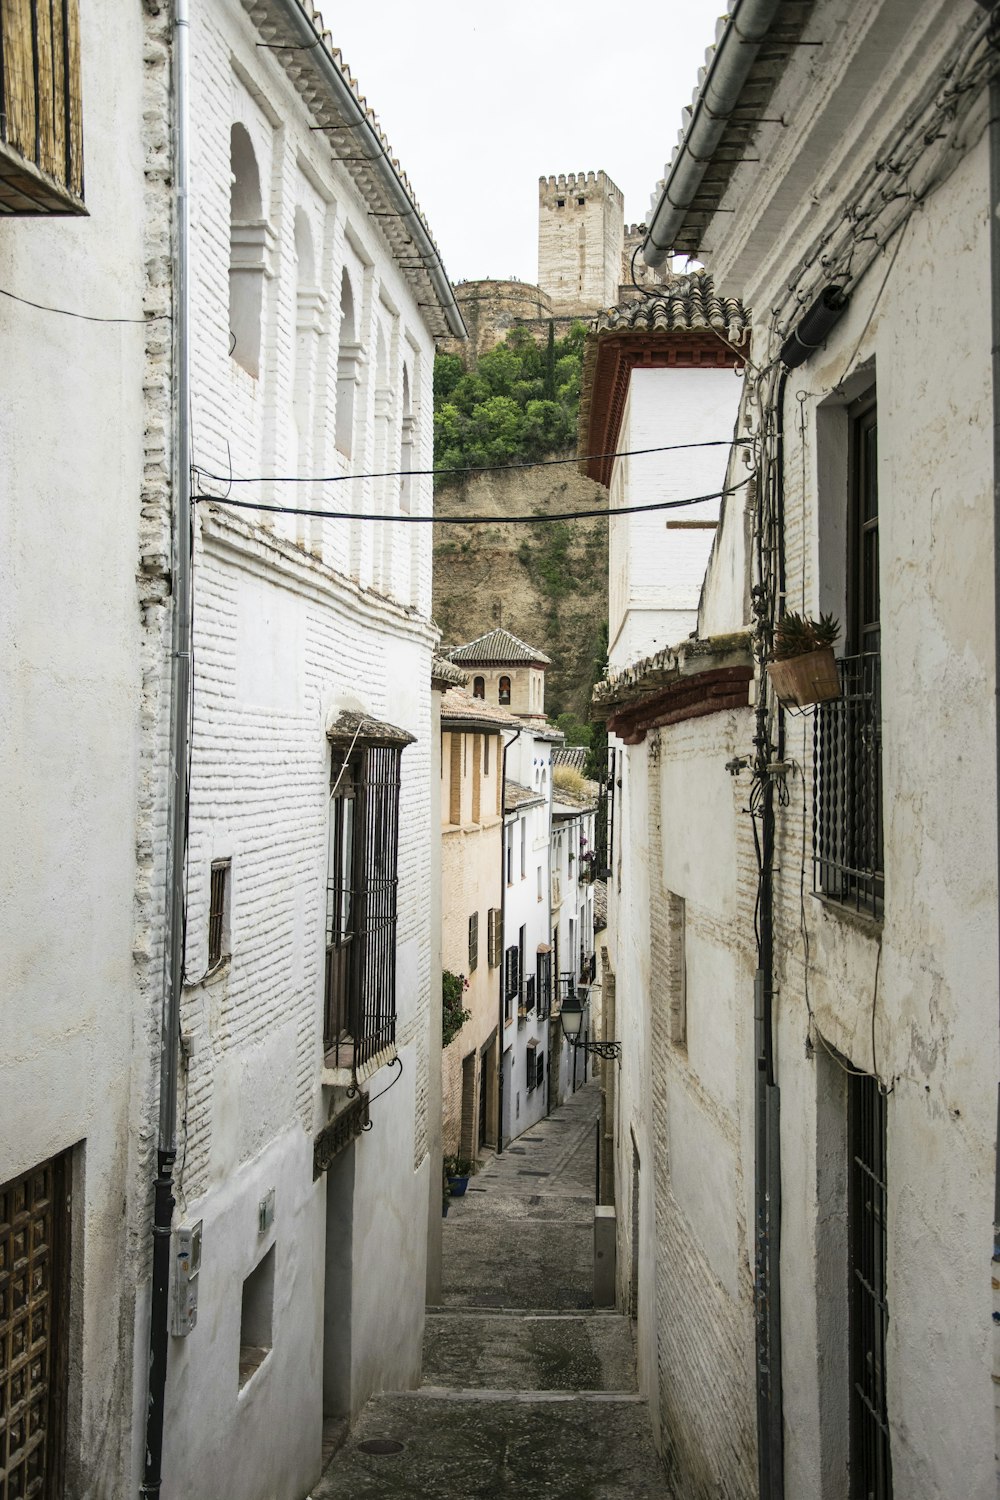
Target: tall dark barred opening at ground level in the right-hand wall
[(870, 1453)]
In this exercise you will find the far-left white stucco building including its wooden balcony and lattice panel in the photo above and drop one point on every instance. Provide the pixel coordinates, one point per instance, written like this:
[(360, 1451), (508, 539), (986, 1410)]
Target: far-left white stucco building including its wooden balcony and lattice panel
[(82, 332)]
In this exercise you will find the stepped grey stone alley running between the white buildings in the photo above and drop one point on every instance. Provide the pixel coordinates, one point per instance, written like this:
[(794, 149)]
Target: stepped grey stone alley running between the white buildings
[(528, 1391)]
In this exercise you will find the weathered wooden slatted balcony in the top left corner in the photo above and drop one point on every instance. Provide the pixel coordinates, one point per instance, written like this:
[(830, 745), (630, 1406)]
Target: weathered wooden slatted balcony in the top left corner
[(41, 116)]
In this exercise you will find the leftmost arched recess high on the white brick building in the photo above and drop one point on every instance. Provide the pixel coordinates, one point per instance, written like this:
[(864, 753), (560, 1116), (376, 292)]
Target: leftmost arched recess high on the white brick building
[(248, 245)]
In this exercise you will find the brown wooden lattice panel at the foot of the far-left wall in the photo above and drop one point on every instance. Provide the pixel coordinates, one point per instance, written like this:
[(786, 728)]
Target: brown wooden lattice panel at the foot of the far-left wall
[(32, 1229)]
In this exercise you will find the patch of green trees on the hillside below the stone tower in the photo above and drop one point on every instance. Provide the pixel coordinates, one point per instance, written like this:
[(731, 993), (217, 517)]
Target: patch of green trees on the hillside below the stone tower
[(519, 404)]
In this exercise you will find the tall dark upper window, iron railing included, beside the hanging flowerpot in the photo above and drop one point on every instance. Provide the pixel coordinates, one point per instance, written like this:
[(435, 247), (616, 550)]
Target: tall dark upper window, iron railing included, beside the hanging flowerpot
[(848, 847)]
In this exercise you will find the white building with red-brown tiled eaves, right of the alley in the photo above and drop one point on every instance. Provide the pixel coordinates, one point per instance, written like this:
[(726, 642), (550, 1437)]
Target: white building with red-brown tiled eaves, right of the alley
[(659, 374)]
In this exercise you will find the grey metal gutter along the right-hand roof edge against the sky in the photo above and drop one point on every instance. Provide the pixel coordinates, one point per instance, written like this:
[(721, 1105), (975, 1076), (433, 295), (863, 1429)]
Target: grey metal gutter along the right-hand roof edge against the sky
[(719, 97)]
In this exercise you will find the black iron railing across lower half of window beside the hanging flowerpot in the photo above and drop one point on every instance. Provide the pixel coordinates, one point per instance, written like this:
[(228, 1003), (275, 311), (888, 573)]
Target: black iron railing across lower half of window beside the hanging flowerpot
[(848, 851)]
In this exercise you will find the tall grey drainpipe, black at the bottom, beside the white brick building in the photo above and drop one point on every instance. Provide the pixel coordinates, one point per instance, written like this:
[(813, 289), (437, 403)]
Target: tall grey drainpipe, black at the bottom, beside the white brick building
[(178, 776)]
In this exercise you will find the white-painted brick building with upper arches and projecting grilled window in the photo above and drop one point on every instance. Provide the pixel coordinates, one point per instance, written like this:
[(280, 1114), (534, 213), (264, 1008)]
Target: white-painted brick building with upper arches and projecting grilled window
[(311, 1015)]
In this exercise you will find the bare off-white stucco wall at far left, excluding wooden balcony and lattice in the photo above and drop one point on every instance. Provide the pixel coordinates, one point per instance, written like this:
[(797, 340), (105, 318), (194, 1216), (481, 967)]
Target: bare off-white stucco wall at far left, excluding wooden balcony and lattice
[(71, 470)]
